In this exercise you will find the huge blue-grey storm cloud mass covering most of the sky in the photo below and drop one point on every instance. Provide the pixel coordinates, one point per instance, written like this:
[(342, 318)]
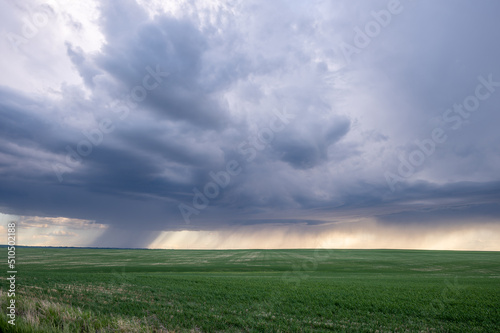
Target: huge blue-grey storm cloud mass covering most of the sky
[(226, 79)]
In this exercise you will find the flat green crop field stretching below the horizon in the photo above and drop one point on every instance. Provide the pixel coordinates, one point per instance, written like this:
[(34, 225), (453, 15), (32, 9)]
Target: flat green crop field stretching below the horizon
[(100, 290)]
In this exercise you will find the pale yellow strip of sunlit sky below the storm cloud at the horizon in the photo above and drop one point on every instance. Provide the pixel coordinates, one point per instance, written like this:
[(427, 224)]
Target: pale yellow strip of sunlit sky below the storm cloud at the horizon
[(367, 235)]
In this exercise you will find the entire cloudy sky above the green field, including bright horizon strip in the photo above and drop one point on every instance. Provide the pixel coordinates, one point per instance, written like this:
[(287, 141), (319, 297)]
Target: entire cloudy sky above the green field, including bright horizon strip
[(251, 124)]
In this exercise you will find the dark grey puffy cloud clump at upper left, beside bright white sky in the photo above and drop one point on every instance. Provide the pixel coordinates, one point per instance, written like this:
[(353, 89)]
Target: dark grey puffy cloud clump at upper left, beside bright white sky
[(176, 47)]
